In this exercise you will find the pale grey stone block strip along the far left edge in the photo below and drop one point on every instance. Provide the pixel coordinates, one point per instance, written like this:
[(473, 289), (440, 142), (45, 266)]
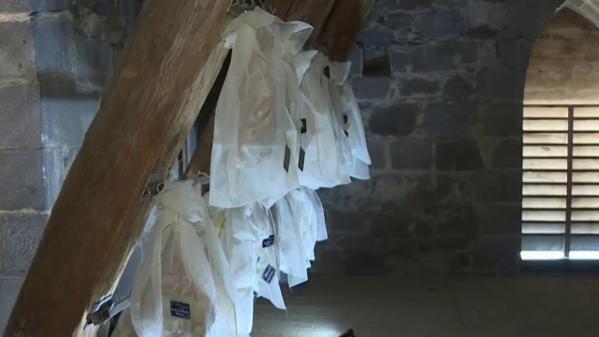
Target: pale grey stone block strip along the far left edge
[(22, 204)]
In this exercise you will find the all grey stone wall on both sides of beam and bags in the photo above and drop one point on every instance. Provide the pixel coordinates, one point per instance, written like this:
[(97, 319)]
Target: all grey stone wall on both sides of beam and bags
[(440, 83)]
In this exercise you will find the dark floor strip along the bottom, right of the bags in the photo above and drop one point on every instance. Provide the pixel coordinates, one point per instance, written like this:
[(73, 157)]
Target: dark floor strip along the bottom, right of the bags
[(525, 306)]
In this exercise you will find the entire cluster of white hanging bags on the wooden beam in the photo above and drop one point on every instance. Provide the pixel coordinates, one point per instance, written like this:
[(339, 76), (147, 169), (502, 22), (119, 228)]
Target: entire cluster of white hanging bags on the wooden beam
[(286, 124)]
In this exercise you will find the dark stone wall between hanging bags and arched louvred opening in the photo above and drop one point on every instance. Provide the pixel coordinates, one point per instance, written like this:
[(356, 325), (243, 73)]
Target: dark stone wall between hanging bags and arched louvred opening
[(441, 85)]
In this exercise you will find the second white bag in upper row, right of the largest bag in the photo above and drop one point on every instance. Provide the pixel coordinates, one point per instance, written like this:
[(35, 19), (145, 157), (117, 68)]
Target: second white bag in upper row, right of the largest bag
[(327, 158)]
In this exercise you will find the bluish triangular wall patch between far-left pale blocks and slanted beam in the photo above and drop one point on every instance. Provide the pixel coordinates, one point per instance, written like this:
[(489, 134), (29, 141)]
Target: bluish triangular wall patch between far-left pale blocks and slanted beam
[(77, 46)]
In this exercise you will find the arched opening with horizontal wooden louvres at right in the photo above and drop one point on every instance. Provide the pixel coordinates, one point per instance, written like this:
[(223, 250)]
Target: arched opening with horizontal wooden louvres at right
[(561, 140)]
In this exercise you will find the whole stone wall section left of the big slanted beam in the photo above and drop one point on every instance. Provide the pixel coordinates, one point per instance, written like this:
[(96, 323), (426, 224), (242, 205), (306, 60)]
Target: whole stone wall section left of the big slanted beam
[(56, 57)]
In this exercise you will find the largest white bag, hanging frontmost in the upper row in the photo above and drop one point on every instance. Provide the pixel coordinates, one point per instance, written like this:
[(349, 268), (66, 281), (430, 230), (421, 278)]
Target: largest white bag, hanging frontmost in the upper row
[(255, 148)]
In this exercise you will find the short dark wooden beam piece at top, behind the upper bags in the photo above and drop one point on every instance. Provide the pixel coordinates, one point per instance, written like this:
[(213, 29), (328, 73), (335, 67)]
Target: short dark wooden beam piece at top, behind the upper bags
[(342, 28)]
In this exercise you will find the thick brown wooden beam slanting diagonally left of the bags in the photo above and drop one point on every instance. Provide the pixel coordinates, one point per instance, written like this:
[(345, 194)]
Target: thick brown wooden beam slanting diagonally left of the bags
[(168, 68)]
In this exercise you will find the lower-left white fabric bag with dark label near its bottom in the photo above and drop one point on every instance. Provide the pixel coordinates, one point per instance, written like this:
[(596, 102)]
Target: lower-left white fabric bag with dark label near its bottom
[(183, 286)]
